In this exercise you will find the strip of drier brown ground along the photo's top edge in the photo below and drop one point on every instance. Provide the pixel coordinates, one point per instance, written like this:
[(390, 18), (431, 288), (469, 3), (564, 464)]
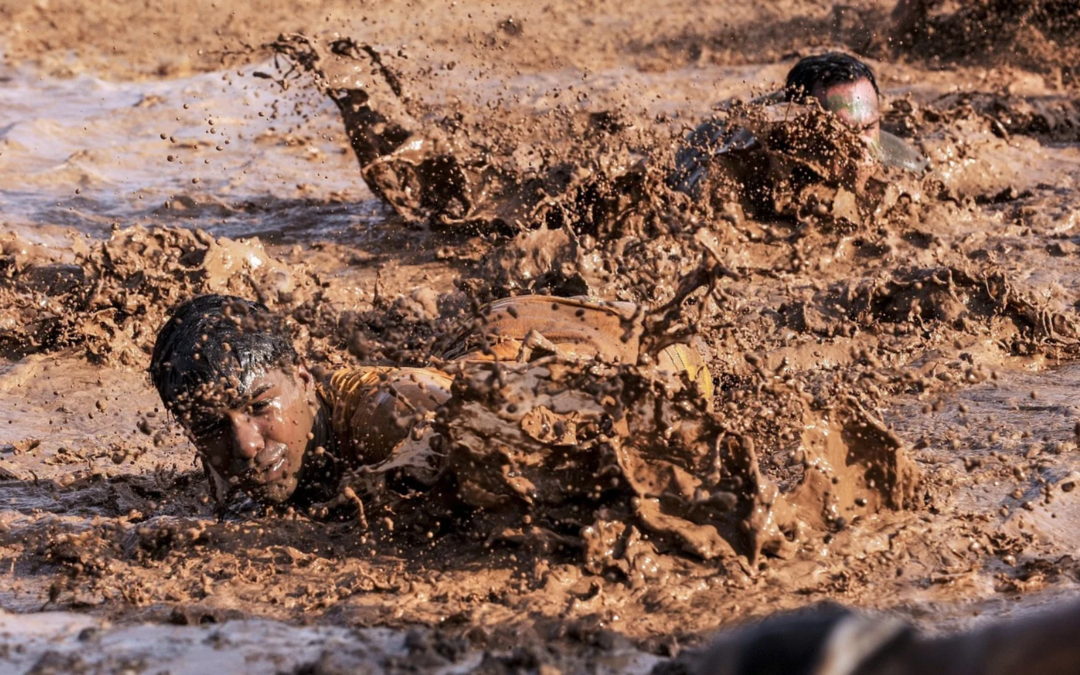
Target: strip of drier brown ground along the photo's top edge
[(124, 39)]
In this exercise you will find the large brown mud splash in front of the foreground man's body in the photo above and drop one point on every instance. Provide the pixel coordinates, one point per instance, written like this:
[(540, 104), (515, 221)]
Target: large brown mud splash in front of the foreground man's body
[(617, 466)]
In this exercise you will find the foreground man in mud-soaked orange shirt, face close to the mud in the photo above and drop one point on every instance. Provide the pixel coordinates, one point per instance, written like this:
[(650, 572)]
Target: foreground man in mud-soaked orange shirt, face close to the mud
[(265, 427)]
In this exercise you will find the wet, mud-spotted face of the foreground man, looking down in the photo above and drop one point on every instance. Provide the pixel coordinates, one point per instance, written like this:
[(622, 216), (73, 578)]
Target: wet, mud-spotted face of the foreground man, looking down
[(258, 440)]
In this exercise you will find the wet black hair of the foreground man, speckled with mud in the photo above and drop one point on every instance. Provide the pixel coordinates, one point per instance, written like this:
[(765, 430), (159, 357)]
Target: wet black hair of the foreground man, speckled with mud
[(213, 340)]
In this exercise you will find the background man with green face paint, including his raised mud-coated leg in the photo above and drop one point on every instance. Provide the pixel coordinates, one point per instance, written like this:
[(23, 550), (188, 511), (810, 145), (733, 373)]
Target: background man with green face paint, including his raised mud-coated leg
[(426, 173)]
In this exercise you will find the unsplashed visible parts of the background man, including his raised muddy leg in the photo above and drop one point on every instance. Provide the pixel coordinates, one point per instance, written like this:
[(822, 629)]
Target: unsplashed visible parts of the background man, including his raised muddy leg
[(427, 177)]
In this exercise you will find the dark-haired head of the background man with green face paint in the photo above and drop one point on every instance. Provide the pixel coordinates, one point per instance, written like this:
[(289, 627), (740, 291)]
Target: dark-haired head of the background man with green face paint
[(844, 86)]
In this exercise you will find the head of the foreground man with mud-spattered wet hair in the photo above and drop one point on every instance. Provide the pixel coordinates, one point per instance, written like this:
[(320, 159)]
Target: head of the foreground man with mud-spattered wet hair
[(238, 388)]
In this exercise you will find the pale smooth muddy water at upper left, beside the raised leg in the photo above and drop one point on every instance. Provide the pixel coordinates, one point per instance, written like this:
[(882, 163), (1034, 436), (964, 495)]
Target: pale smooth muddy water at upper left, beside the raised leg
[(90, 153)]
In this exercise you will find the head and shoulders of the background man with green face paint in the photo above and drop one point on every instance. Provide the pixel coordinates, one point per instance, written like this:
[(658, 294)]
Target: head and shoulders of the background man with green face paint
[(838, 84)]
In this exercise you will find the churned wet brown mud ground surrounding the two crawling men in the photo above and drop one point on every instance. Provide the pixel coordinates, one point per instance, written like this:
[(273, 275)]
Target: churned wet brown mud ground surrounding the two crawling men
[(895, 424)]
